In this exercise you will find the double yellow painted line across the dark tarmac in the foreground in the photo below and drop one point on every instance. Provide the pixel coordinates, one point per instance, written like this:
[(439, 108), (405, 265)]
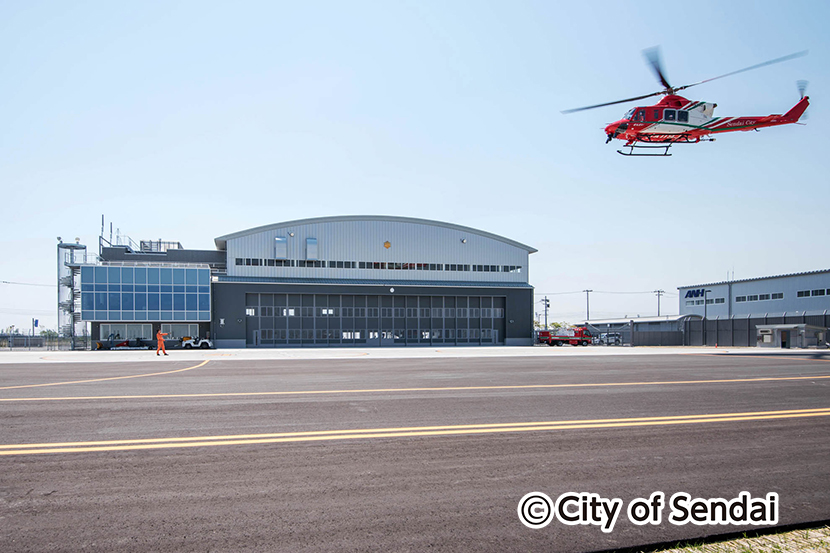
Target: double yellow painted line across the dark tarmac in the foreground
[(369, 433)]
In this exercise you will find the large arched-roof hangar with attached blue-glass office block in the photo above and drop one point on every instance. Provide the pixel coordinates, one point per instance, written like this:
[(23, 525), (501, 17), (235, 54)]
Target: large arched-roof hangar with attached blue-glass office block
[(330, 281)]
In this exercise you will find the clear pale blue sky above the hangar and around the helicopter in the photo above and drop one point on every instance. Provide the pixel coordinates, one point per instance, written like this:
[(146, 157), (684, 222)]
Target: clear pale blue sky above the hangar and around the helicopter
[(189, 120)]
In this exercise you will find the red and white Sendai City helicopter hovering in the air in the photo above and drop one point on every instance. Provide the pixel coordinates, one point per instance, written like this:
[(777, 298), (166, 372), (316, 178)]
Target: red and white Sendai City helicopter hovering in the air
[(676, 120)]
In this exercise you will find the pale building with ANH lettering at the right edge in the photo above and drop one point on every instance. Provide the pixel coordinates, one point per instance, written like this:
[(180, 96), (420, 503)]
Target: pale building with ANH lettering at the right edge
[(734, 310)]
